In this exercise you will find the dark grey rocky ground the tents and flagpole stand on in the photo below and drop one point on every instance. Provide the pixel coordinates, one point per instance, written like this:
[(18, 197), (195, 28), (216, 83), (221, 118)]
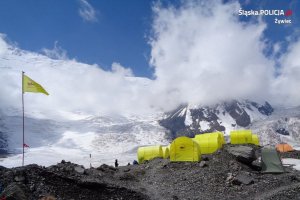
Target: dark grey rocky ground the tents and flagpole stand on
[(223, 175)]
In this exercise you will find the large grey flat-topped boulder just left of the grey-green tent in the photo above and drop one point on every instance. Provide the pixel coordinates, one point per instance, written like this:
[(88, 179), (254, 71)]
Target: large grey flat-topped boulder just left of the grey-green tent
[(243, 154)]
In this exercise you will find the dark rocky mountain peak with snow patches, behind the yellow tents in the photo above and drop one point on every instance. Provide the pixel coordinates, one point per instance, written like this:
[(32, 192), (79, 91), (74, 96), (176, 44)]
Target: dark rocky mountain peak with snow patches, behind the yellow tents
[(226, 116)]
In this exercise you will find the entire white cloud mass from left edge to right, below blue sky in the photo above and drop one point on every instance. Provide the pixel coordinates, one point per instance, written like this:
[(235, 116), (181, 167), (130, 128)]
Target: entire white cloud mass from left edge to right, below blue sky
[(201, 54)]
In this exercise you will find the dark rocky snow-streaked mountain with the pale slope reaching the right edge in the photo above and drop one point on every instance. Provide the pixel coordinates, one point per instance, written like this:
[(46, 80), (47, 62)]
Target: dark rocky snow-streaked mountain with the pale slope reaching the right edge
[(272, 125)]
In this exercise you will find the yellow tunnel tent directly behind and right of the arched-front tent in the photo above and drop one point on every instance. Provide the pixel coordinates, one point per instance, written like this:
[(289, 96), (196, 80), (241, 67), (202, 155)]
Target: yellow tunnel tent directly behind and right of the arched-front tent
[(208, 143)]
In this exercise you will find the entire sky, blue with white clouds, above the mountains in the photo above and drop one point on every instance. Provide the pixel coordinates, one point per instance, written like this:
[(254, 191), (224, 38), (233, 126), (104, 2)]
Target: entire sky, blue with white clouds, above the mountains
[(192, 51)]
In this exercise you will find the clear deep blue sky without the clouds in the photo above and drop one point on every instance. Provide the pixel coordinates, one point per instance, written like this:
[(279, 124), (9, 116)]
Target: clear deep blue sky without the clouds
[(119, 31)]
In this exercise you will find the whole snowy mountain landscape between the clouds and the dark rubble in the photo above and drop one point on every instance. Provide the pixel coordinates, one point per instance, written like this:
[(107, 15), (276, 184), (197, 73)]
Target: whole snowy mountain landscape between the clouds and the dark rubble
[(110, 137)]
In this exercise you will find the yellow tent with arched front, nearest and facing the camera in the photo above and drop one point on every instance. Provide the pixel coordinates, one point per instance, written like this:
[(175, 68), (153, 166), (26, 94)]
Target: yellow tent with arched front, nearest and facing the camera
[(184, 149)]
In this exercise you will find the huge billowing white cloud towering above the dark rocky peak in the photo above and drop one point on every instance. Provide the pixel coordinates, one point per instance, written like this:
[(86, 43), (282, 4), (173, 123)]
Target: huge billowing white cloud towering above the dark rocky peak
[(202, 53)]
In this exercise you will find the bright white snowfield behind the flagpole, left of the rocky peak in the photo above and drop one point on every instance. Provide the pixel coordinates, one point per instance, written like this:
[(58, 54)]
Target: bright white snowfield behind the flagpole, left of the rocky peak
[(105, 137)]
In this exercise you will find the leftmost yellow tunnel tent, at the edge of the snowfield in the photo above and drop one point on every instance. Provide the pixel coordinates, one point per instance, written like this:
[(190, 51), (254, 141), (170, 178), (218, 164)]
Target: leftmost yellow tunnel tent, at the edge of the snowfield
[(149, 153)]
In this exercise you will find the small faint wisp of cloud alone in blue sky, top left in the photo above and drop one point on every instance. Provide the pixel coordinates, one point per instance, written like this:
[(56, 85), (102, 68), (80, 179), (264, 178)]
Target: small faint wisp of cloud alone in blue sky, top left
[(87, 12)]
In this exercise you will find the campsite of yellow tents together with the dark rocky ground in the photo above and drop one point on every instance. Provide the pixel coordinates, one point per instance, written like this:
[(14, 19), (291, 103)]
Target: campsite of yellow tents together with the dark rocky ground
[(229, 171)]
